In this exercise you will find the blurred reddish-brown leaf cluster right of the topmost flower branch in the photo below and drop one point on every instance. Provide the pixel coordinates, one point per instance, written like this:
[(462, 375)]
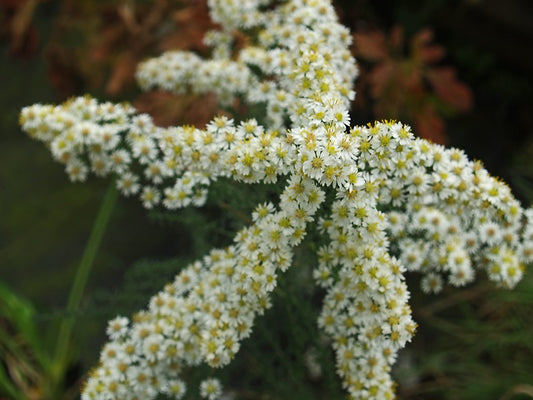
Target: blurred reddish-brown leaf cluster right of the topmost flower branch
[(411, 87)]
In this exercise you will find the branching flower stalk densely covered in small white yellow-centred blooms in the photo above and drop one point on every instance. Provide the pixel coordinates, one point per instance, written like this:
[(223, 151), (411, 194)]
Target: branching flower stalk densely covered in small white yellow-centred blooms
[(402, 203)]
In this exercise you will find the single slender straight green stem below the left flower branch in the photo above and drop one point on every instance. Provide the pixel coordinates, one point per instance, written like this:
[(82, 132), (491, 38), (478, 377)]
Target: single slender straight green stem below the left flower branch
[(61, 359)]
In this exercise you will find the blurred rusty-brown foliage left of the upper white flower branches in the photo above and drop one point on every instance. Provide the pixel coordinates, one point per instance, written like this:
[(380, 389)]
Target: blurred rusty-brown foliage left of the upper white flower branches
[(96, 46)]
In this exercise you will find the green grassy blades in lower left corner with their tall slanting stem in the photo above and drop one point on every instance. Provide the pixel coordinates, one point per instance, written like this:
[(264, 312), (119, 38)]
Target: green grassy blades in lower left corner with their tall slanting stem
[(34, 369)]
